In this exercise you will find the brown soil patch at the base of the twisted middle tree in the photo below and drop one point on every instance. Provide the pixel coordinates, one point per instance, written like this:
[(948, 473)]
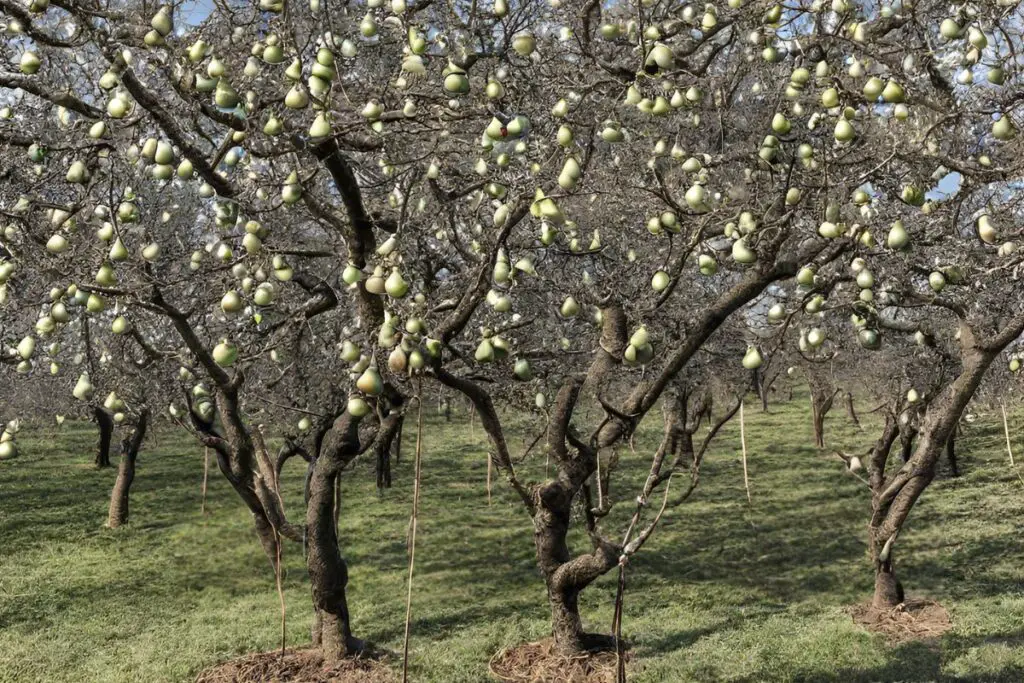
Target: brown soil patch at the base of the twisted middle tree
[(538, 663)]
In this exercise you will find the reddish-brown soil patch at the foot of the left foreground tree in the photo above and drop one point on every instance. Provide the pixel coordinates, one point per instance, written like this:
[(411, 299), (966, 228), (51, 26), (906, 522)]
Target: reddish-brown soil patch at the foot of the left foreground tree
[(297, 666)]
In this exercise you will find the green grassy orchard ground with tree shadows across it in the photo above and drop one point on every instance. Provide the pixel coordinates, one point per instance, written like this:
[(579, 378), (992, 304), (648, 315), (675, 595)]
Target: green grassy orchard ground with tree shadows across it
[(723, 592)]
